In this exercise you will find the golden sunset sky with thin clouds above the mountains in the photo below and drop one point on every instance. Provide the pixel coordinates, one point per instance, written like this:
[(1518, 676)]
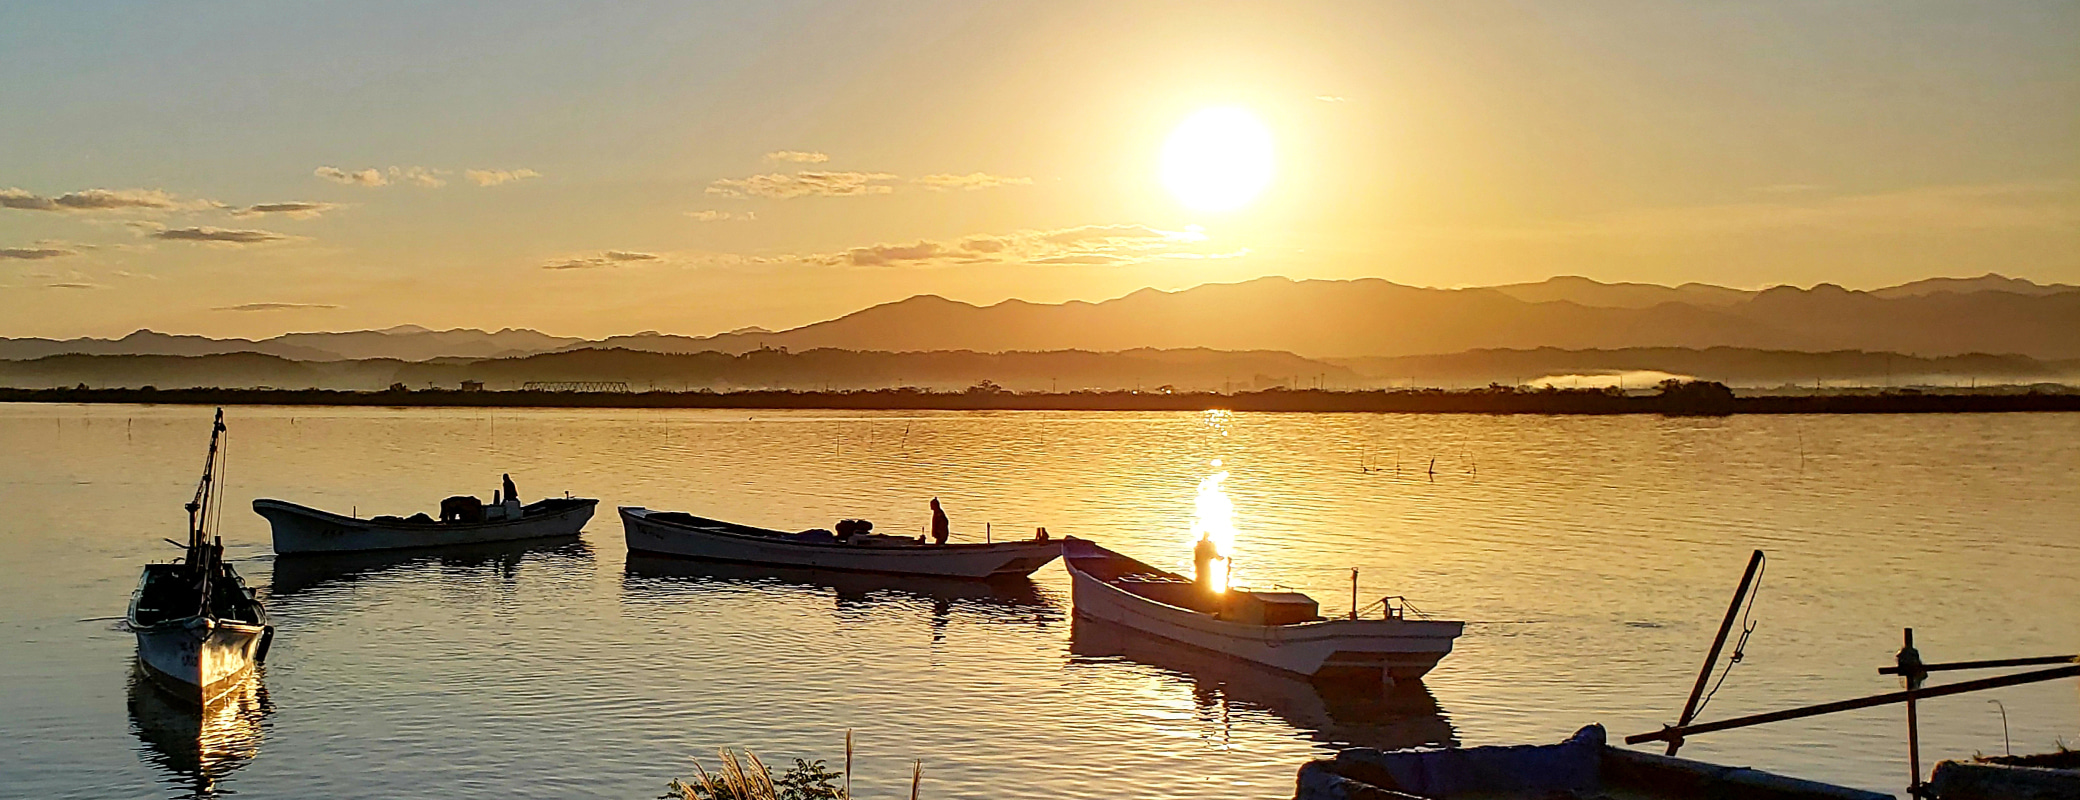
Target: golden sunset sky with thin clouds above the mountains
[(596, 169)]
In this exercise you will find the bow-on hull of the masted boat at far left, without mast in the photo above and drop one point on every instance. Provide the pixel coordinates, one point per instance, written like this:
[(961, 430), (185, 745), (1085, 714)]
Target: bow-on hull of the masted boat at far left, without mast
[(199, 660)]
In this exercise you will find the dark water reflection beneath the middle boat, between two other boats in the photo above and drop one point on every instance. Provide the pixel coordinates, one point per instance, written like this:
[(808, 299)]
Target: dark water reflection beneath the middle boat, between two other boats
[(1016, 599)]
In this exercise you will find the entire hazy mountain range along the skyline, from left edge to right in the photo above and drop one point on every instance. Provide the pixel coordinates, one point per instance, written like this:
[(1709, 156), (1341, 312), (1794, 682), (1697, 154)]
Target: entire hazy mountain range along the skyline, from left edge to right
[(1309, 319)]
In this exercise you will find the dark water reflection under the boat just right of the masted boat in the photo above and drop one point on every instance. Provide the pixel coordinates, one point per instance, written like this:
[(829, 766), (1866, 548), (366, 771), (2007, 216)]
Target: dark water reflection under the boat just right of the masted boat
[(303, 572)]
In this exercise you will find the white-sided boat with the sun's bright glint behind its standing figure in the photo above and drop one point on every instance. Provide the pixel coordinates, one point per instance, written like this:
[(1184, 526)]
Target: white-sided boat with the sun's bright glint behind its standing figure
[(1282, 631)]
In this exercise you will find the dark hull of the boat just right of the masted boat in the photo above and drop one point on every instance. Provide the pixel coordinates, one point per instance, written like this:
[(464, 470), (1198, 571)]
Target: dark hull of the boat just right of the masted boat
[(301, 529)]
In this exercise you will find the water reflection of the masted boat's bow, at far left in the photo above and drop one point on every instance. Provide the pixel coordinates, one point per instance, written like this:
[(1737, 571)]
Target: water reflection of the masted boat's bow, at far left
[(199, 749)]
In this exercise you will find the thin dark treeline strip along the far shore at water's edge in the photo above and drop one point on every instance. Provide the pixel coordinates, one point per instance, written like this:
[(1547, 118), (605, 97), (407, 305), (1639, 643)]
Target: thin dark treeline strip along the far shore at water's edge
[(1673, 400)]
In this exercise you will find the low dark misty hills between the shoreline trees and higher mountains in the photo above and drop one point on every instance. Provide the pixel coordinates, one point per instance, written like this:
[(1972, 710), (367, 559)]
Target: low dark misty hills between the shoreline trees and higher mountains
[(1058, 371)]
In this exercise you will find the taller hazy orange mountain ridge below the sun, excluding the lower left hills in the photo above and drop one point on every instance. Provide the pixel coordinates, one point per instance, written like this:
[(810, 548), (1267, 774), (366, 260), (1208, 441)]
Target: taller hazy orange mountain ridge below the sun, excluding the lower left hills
[(1357, 319)]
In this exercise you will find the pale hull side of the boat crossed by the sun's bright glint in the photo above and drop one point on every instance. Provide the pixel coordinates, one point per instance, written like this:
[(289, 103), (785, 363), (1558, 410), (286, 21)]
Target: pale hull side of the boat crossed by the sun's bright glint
[(1330, 649)]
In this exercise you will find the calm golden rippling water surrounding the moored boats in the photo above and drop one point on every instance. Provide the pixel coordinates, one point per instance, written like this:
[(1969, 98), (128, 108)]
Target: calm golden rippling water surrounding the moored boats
[(1590, 558)]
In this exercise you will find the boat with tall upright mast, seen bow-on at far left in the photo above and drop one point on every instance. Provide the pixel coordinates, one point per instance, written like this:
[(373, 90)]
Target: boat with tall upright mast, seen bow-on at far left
[(199, 629)]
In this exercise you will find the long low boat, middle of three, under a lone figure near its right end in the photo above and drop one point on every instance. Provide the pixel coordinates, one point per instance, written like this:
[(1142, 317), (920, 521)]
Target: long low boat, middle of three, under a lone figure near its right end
[(673, 533)]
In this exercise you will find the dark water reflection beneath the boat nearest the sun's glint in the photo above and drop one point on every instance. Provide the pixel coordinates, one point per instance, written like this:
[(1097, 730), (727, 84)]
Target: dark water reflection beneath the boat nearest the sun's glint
[(1330, 714)]
